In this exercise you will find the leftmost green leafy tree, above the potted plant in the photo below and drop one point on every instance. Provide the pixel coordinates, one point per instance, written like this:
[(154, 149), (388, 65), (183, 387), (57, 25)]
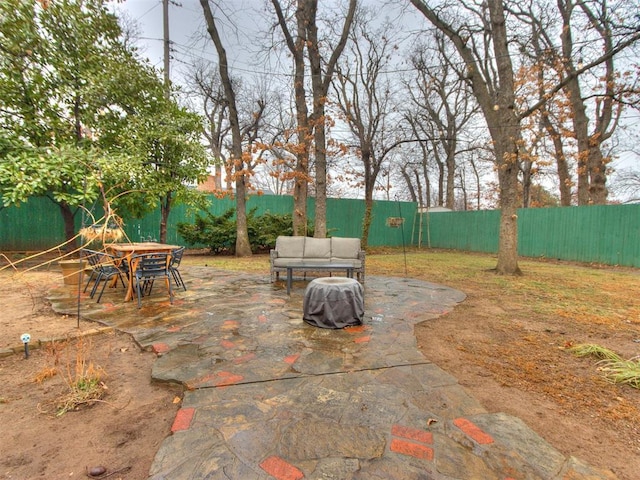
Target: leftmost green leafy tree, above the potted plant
[(53, 54)]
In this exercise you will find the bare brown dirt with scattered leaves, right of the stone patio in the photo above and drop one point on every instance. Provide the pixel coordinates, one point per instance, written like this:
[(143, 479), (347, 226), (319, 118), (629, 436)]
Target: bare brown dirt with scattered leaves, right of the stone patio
[(523, 369)]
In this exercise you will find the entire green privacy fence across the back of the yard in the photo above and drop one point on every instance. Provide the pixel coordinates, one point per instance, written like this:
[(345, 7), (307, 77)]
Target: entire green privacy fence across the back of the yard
[(604, 234)]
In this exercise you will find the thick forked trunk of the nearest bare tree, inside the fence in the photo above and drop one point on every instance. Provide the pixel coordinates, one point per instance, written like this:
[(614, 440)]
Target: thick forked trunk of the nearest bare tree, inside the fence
[(479, 34)]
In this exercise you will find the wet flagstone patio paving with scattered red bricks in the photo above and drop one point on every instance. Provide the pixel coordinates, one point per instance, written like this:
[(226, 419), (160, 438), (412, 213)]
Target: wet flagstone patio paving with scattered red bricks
[(269, 396)]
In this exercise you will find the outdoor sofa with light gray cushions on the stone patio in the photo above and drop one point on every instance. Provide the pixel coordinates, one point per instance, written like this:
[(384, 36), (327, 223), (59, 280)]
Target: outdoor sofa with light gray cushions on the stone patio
[(308, 252)]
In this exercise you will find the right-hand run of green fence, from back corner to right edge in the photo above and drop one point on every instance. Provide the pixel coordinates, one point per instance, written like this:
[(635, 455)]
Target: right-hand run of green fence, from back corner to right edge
[(608, 234)]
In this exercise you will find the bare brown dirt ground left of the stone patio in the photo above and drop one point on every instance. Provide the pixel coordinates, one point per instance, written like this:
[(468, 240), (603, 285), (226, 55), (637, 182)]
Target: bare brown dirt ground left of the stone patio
[(121, 432)]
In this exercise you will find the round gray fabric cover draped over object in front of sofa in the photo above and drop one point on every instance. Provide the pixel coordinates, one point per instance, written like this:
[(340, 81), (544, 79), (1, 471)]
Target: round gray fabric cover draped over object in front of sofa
[(333, 302)]
